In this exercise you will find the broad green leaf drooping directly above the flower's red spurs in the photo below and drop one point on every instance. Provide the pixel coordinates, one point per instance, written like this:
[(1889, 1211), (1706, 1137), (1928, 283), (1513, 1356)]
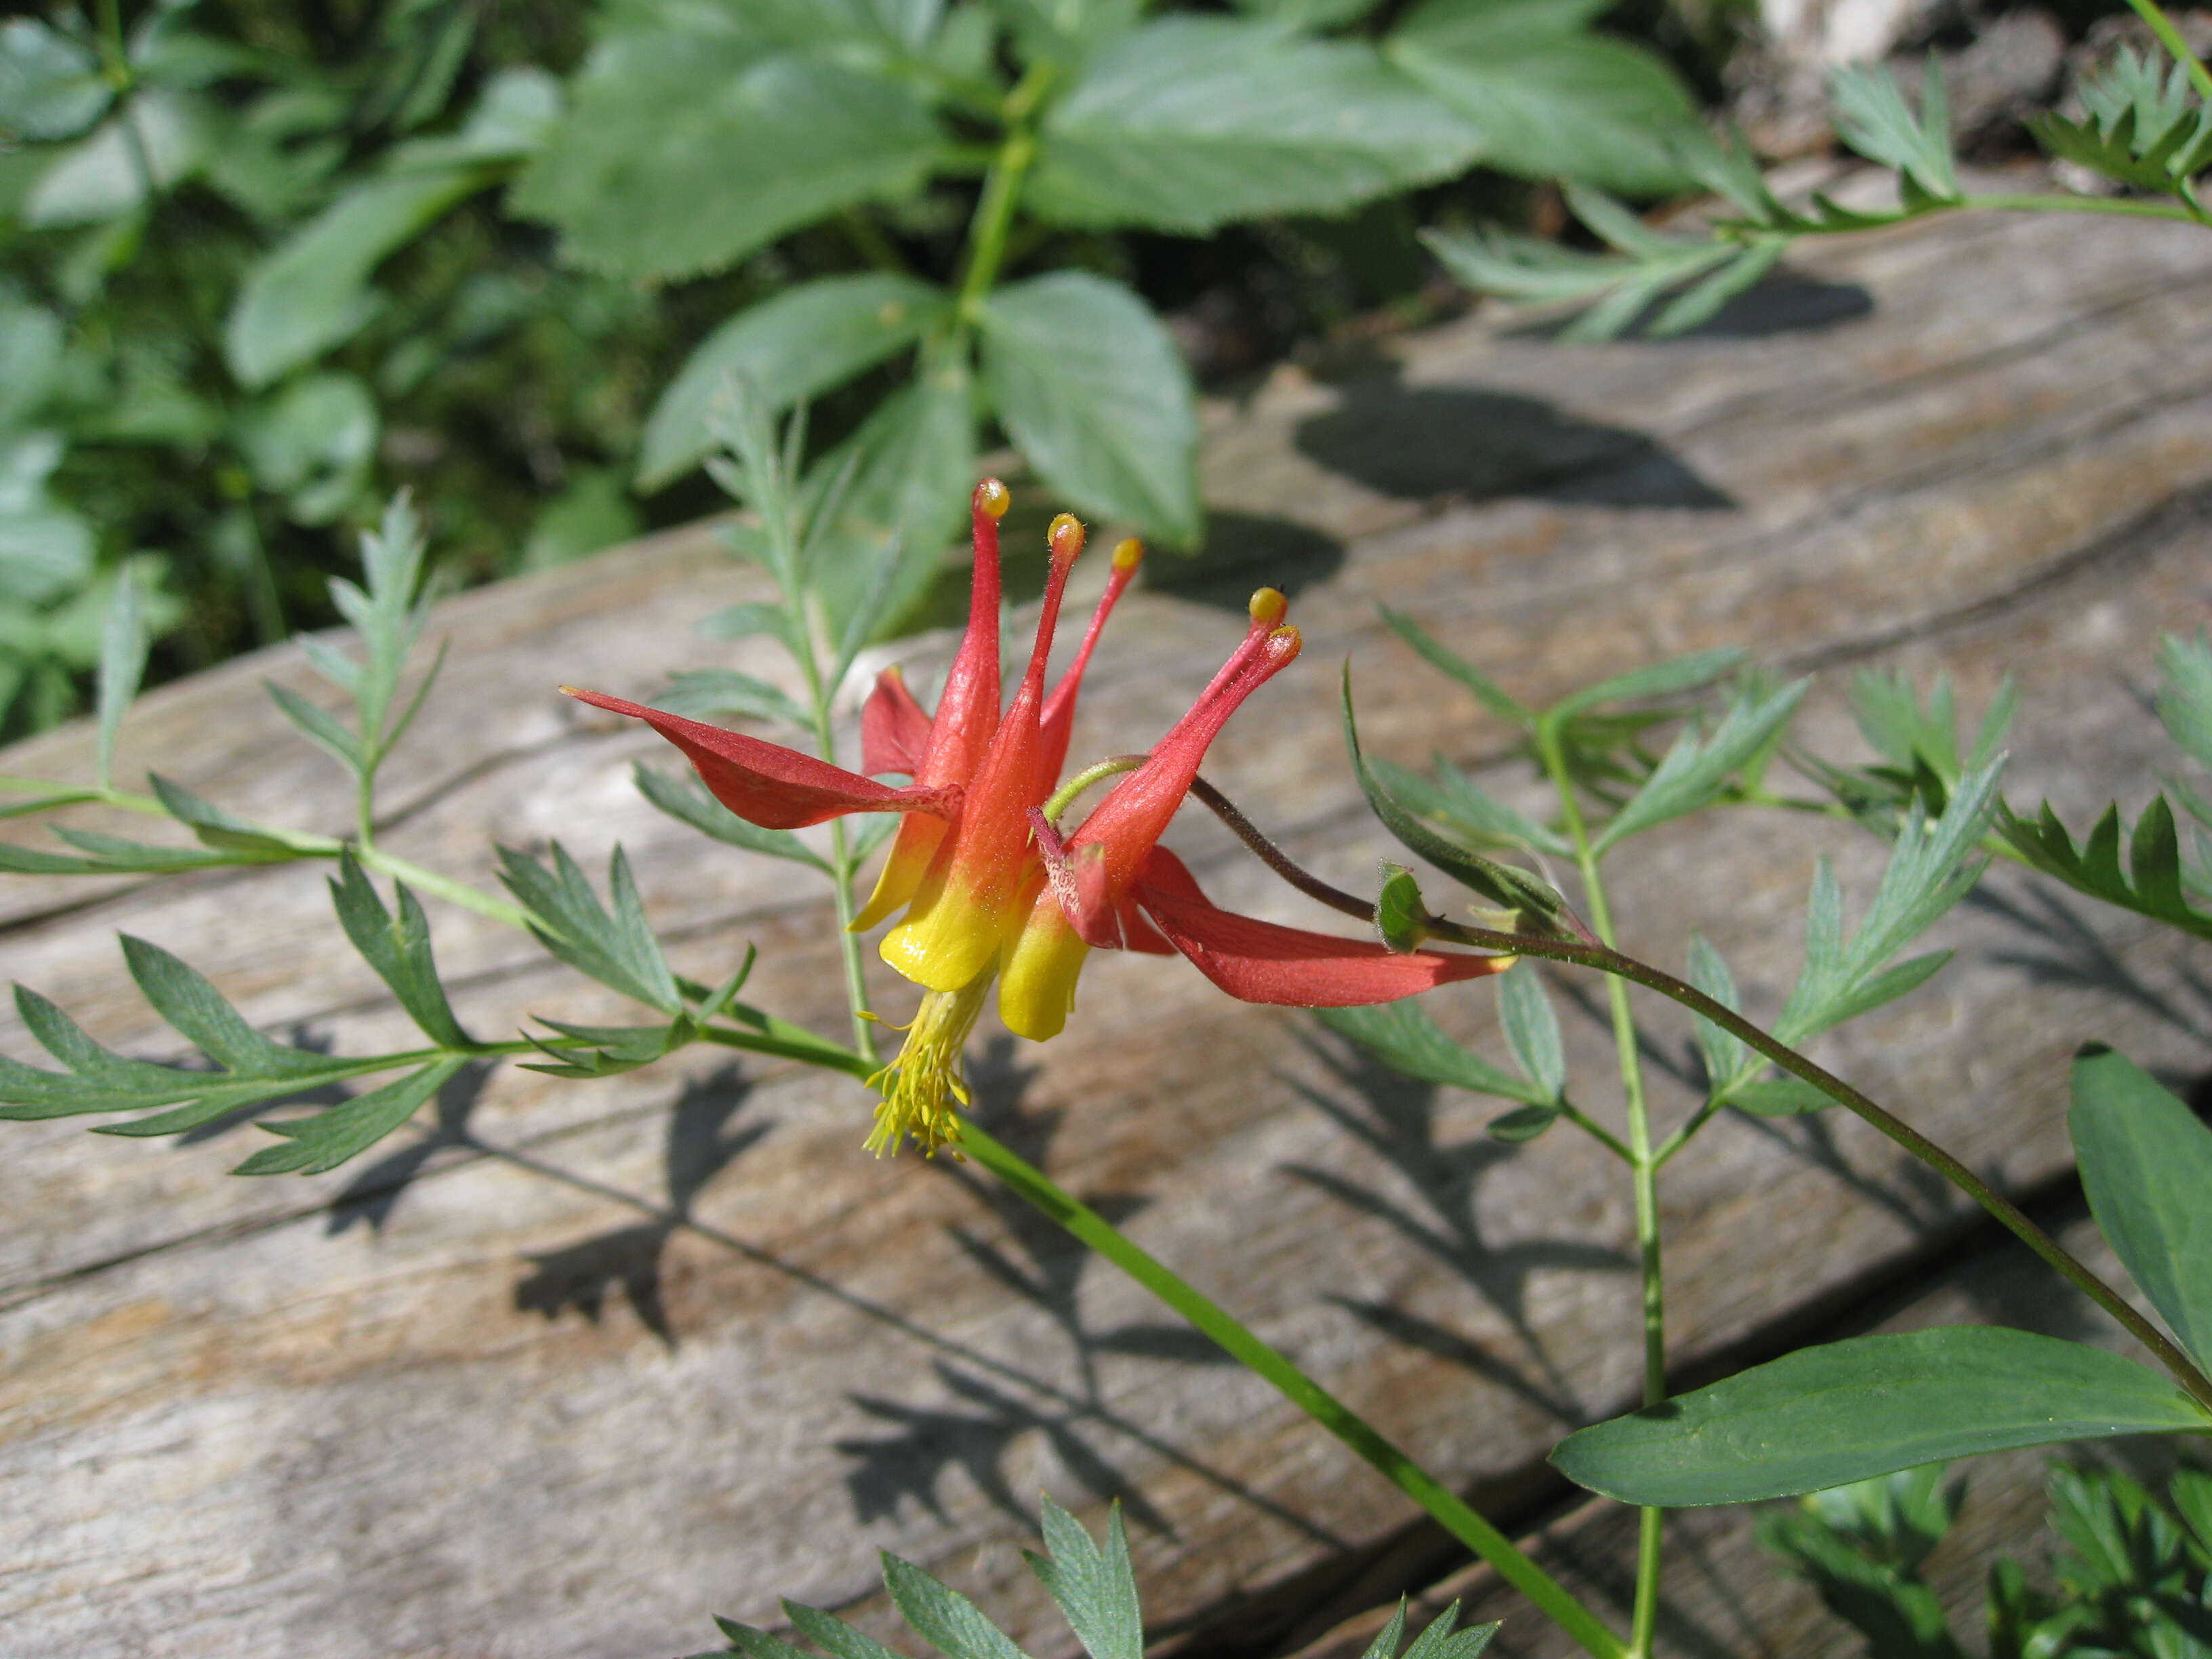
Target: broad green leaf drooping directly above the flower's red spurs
[(1096, 397)]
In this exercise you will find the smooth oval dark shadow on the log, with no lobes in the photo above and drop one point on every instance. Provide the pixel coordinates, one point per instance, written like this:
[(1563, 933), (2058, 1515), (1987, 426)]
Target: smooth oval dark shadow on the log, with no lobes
[(1468, 444)]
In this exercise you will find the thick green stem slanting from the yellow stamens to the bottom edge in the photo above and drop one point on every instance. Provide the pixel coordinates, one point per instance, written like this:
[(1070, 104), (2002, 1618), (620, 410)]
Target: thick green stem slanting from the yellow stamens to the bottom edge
[(1333, 1415)]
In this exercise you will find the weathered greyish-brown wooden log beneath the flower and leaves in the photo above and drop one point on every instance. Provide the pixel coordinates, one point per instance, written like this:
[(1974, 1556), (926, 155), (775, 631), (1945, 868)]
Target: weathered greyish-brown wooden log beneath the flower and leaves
[(267, 1417)]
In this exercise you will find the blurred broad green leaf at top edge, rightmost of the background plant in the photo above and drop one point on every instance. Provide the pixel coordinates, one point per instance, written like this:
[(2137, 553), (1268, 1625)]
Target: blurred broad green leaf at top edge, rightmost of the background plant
[(1545, 98)]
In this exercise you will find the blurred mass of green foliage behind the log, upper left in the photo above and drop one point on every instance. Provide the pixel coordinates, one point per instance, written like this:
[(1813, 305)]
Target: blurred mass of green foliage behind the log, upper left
[(267, 260)]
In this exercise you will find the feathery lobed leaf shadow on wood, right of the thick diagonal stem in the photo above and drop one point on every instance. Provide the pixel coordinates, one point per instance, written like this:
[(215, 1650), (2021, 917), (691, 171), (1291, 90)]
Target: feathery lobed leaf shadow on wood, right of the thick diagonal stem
[(1397, 1120)]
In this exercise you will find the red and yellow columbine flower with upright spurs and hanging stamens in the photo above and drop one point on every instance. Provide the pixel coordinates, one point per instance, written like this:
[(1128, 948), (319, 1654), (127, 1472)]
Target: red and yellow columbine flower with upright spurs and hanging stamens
[(990, 888)]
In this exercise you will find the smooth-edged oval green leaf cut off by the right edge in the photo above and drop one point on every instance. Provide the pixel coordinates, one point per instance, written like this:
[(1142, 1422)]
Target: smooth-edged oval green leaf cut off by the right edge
[(2147, 1165)]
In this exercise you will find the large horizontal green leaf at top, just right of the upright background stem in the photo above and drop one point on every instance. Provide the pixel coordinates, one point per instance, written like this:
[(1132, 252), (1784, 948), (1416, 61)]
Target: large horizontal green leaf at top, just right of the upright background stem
[(1191, 123)]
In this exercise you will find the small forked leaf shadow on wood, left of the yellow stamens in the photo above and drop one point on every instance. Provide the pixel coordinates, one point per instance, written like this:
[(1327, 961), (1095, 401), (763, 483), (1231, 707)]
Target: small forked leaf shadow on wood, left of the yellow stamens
[(585, 1275)]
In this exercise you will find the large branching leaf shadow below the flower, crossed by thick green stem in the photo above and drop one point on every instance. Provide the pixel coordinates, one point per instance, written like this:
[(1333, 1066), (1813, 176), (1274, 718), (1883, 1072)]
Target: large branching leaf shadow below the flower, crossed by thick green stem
[(985, 1428)]
